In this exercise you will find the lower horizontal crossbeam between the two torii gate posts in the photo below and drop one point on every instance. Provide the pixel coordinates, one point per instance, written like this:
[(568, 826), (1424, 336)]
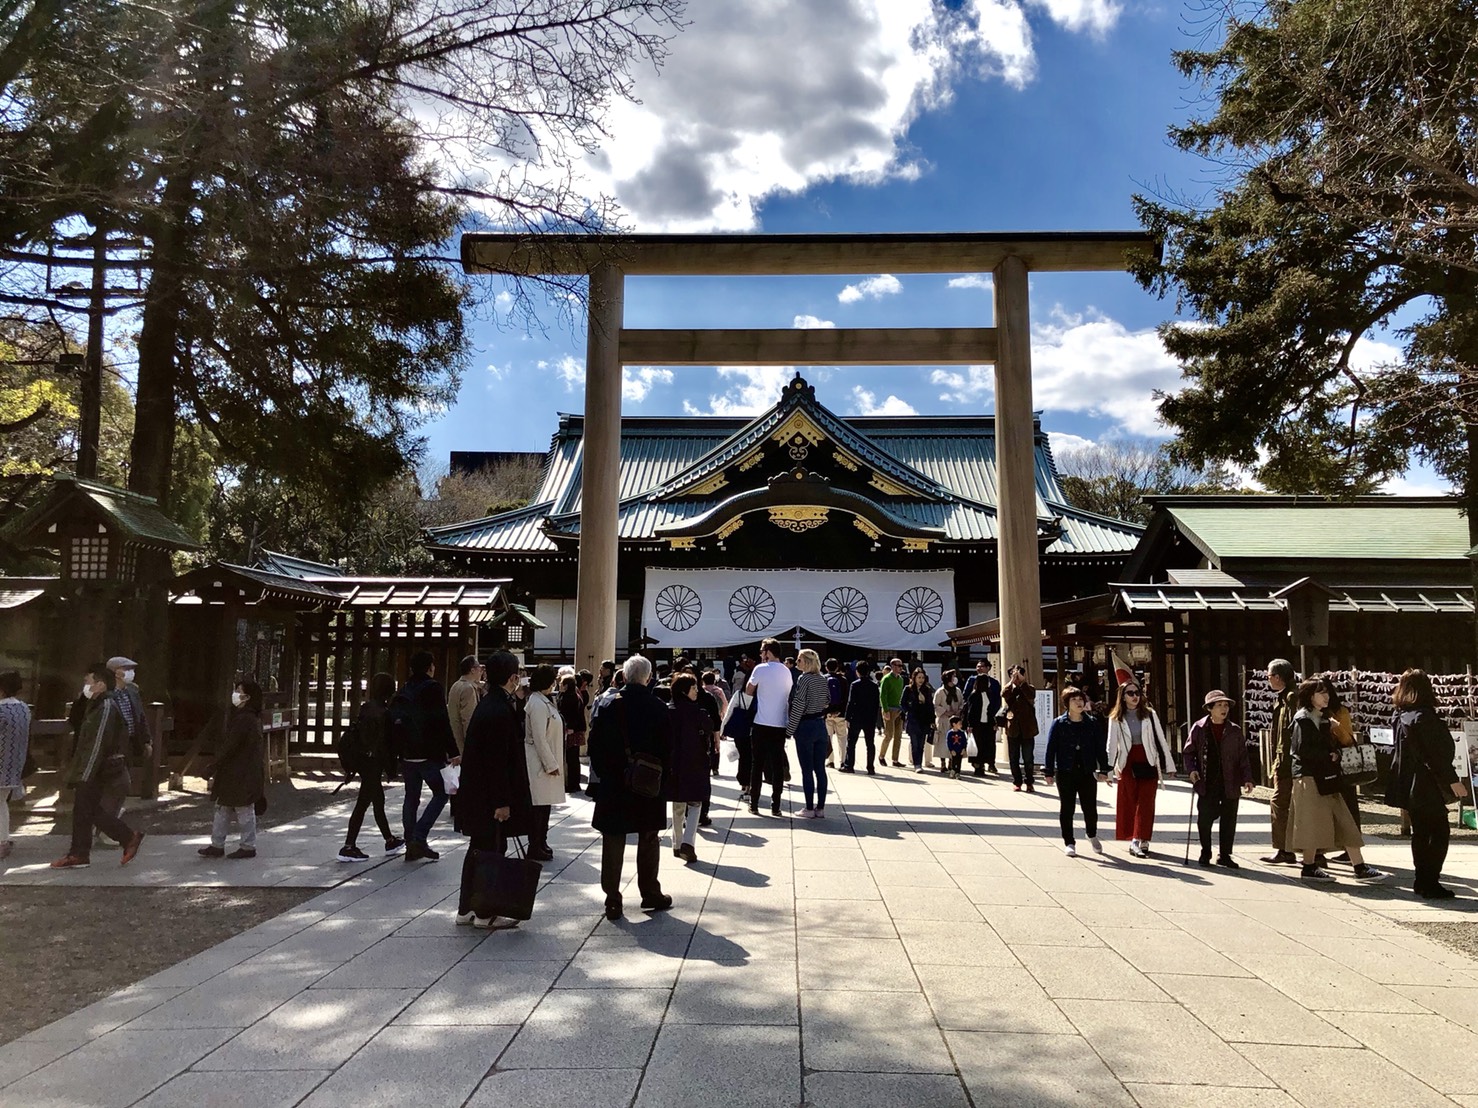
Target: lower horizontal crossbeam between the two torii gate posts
[(821, 346)]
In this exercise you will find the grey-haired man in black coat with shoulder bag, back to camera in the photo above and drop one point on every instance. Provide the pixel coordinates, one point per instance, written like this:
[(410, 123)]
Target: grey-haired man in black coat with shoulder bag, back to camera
[(635, 722)]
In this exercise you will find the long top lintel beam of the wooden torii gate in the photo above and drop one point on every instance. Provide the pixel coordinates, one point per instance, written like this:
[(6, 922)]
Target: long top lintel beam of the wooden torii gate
[(1052, 252)]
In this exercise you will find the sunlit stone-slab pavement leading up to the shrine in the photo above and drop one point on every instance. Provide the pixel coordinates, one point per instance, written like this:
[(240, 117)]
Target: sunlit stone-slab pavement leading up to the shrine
[(926, 945)]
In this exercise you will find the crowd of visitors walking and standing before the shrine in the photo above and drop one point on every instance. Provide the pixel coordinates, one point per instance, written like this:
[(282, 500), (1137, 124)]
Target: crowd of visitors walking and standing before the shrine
[(505, 747)]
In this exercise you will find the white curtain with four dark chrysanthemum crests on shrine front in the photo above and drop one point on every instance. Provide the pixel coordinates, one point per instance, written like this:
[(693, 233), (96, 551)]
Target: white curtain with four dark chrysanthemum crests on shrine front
[(882, 609)]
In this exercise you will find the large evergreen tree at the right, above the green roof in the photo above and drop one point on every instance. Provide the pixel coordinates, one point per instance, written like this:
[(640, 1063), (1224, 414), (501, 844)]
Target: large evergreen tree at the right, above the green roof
[(1349, 138)]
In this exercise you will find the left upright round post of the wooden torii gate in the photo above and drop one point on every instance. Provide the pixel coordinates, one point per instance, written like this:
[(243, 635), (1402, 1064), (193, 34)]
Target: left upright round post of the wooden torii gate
[(601, 472)]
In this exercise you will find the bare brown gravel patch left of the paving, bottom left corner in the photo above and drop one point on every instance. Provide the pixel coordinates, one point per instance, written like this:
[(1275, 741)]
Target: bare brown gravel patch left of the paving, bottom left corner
[(67, 948)]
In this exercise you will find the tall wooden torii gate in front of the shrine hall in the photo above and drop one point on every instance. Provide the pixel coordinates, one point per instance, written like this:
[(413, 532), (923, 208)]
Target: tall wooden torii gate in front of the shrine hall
[(610, 345)]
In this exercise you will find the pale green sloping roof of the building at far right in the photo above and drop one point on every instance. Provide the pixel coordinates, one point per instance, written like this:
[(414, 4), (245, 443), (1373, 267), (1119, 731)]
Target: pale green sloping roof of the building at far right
[(1281, 530)]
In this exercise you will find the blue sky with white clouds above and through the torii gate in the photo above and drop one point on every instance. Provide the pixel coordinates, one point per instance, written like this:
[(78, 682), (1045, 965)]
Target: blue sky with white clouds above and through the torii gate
[(830, 116)]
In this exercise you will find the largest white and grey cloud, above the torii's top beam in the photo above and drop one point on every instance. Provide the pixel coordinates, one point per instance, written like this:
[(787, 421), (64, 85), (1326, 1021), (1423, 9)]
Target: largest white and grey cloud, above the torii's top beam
[(762, 98)]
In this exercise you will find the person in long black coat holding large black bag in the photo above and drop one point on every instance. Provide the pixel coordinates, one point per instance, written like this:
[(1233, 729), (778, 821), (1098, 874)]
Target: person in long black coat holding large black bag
[(494, 794)]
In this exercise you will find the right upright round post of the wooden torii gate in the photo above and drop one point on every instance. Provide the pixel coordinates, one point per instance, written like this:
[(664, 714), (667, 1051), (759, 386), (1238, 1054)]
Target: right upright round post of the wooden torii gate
[(1019, 574)]
